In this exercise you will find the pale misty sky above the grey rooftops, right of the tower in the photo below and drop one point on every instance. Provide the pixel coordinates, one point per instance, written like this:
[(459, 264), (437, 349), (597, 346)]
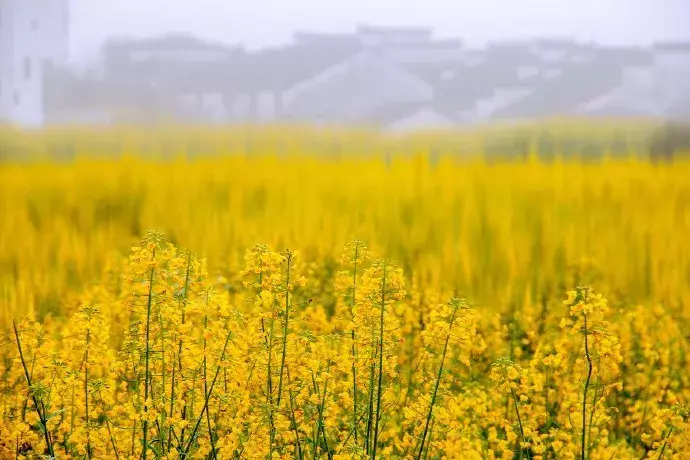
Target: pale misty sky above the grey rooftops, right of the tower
[(258, 23)]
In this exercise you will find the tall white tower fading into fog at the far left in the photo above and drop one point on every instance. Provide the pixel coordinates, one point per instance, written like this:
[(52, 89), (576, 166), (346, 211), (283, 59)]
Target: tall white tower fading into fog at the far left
[(33, 34)]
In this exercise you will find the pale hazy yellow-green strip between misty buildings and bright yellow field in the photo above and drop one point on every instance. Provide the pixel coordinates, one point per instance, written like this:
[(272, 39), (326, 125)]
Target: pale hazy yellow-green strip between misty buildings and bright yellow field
[(586, 140)]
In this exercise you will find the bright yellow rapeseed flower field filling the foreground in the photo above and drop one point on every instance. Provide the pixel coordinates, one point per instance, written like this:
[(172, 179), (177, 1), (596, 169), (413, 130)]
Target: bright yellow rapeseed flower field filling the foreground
[(341, 303)]
